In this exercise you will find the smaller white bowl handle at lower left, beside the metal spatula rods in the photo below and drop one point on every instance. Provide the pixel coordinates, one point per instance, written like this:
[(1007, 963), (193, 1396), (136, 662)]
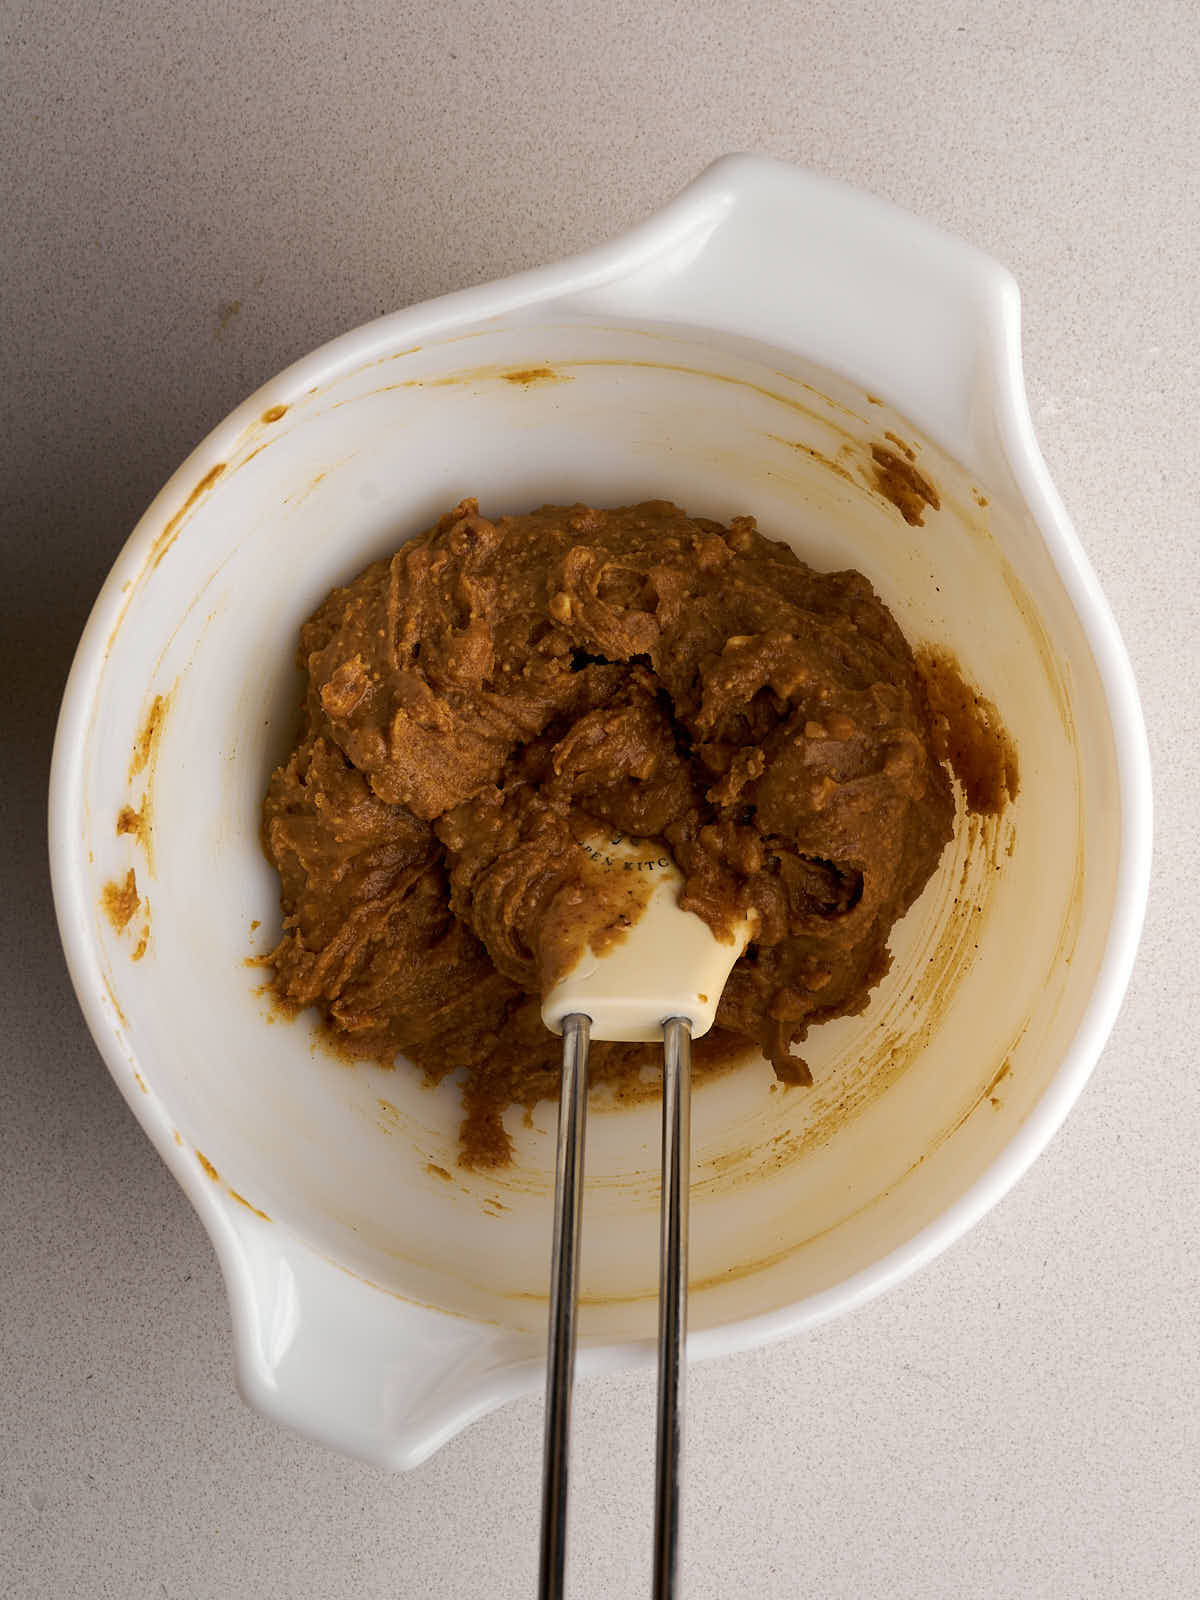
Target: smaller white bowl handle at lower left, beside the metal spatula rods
[(351, 1366)]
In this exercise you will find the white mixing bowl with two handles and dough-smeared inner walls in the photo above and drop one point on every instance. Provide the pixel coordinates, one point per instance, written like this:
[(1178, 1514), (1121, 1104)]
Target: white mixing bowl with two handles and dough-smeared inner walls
[(740, 353)]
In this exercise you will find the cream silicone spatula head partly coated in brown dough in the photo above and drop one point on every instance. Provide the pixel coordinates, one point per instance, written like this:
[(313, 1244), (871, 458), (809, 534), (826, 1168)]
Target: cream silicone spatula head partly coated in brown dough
[(670, 964)]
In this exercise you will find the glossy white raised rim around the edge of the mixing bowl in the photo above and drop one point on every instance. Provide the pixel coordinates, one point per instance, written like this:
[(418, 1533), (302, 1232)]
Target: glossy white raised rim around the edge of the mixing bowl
[(695, 214)]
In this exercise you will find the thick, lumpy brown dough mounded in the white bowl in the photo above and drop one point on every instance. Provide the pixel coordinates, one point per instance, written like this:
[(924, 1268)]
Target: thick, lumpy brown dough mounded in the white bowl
[(497, 698)]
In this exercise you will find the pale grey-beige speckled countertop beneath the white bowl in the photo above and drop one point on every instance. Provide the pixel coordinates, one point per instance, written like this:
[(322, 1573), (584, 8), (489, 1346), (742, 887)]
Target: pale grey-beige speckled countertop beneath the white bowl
[(199, 194)]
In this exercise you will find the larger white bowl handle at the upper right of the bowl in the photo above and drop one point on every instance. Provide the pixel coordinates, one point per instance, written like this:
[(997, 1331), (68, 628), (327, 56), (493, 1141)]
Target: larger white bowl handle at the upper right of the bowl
[(774, 254)]
